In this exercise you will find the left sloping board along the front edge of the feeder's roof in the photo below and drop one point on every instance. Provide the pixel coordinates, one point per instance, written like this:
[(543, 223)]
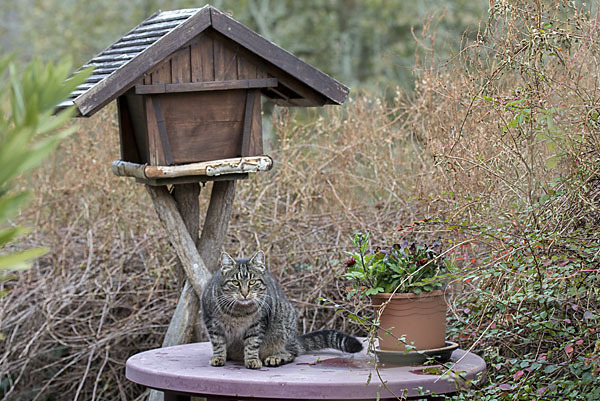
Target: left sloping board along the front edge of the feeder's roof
[(117, 84)]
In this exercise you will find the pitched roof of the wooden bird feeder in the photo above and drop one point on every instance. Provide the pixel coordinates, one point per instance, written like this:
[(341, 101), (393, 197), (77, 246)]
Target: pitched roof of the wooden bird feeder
[(123, 63)]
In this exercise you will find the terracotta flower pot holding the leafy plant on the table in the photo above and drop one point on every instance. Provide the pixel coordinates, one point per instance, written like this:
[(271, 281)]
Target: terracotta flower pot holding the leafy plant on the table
[(421, 319)]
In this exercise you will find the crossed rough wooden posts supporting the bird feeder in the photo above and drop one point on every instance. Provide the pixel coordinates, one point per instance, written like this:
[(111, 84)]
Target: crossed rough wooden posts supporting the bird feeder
[(179, 214)]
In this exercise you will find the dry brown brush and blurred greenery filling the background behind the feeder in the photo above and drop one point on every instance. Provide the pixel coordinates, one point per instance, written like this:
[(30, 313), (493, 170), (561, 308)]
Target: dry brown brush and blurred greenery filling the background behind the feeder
[(489, 139)]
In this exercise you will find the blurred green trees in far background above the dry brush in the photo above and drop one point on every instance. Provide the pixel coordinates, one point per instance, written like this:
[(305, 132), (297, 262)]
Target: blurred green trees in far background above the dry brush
[(358, 42)]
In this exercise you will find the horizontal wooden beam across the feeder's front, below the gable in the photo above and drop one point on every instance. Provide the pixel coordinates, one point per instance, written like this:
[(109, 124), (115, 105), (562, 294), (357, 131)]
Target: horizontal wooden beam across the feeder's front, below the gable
[(206, 86)]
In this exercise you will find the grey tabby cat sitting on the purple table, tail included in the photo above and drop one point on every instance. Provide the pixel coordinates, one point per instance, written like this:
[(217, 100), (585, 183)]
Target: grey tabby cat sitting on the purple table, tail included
[(248, 318)]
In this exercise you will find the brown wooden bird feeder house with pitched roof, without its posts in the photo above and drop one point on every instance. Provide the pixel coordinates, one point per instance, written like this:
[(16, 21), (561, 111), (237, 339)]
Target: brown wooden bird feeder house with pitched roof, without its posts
[(189, 87)]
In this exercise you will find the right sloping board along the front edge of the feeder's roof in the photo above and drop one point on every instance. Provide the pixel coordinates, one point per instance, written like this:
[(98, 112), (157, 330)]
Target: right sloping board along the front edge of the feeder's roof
[(317, 80)]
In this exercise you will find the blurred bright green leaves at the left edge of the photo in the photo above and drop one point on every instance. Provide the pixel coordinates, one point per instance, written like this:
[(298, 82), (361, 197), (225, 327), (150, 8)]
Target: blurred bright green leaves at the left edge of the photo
[(28, 133)]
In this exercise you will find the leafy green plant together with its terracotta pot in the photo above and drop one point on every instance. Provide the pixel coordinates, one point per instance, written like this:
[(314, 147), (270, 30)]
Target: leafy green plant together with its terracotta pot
[(405, 283)]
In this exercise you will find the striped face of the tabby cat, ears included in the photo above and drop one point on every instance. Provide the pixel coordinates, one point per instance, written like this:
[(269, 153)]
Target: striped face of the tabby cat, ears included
[(243, 280)]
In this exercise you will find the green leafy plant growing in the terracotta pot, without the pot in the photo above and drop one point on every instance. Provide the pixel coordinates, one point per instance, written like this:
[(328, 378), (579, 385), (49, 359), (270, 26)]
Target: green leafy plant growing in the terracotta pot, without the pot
[(404, 268)]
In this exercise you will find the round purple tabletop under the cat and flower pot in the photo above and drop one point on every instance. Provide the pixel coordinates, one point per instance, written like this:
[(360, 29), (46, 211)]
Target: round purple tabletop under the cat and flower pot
[(183, 371)]
